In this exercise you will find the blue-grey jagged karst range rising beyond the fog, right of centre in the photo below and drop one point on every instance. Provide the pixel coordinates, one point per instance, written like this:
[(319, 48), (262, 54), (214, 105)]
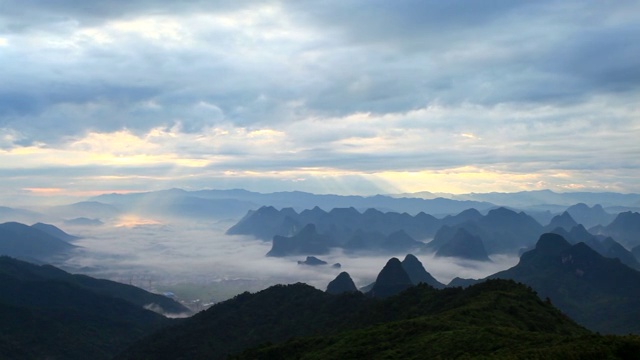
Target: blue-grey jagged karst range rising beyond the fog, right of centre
[(500, 231)]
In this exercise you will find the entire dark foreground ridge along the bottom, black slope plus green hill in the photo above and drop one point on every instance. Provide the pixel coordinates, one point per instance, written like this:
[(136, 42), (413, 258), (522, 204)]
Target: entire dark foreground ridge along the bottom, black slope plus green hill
[(498, 318)]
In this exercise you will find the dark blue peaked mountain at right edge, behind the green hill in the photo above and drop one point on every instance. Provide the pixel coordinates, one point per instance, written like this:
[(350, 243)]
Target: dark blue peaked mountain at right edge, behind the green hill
[(600, 293)]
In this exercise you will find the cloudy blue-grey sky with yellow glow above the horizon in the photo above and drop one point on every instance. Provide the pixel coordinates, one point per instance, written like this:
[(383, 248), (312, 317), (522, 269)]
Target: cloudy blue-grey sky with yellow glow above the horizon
[(346, 97)]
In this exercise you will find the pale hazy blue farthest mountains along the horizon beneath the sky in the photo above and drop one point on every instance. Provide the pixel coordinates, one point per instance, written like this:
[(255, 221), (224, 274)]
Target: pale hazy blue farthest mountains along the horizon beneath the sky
[(232, 204)]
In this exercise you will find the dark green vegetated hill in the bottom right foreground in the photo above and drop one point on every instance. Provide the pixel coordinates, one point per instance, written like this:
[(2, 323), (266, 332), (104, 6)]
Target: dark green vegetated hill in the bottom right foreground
[(489, 324)]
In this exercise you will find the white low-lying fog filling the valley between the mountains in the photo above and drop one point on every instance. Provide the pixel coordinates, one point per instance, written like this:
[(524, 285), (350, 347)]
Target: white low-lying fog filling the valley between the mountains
[(198, 261)]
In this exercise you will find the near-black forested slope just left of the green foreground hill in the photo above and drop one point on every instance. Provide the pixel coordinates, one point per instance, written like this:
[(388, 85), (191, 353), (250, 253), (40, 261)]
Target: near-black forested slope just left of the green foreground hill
[(273, 315)]
